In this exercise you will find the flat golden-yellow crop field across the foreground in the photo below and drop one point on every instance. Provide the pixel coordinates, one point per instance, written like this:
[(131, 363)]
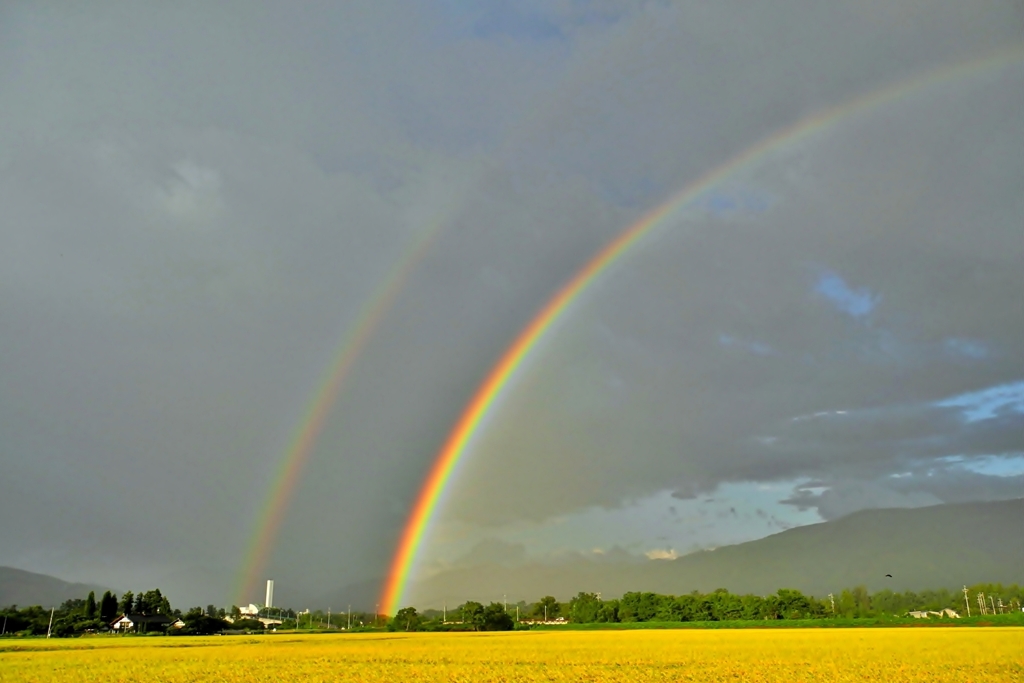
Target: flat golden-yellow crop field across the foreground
[(842, 655)]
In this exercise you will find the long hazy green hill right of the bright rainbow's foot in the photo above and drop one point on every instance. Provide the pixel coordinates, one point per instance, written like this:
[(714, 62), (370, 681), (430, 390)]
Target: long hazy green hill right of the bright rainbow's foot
[(944, 546)]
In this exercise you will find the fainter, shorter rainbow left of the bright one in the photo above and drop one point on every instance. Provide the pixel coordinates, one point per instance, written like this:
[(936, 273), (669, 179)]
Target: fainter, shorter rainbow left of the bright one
[(309, 431)]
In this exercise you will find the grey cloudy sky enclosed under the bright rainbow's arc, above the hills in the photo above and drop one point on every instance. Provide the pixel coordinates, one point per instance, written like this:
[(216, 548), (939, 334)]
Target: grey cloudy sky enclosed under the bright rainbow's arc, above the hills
[(808, 343)]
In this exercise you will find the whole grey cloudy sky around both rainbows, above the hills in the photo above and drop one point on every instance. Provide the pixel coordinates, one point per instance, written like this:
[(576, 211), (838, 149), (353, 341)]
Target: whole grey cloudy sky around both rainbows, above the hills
[(200, 200)]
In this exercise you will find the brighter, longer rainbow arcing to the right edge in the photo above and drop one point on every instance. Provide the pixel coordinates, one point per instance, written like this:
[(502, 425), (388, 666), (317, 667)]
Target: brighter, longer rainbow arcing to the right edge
[(482, 403)]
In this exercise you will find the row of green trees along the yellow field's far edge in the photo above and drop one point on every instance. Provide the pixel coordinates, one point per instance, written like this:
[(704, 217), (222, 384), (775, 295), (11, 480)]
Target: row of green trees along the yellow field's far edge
[(87, 616)]
